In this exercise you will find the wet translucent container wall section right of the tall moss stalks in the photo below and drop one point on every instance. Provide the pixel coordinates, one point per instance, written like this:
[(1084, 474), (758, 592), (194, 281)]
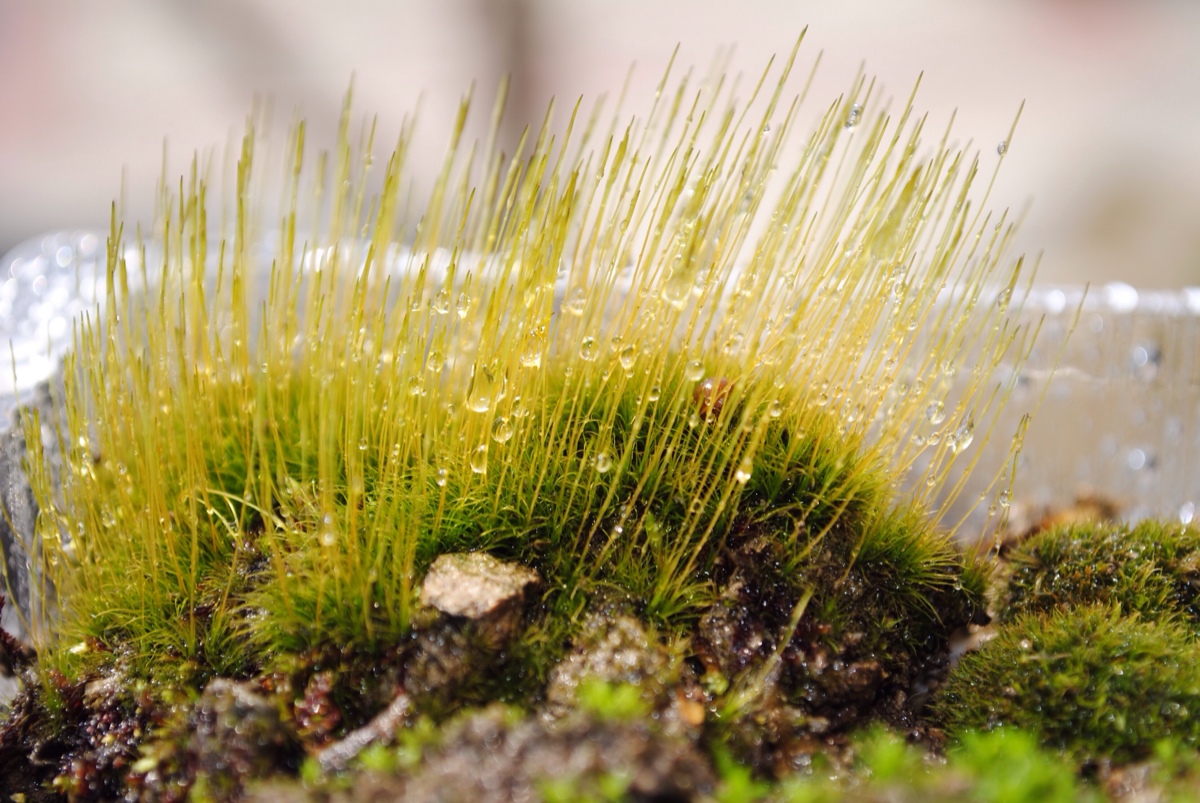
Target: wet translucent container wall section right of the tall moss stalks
[(1119, 421)]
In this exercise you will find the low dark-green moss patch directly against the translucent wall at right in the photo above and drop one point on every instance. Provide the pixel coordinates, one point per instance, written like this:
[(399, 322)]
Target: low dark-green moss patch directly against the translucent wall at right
[(1150, 570)]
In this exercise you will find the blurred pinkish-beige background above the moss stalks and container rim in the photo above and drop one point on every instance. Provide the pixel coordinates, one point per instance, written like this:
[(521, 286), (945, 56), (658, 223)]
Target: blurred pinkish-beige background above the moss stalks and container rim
[(1108, 149)]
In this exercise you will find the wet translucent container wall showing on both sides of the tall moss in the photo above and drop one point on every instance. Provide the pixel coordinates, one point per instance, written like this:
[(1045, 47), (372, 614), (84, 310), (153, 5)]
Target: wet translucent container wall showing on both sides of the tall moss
[(1119, 420)]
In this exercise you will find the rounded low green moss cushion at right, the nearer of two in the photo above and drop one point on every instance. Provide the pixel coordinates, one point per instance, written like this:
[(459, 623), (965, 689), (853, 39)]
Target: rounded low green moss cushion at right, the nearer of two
[(1088, 681)]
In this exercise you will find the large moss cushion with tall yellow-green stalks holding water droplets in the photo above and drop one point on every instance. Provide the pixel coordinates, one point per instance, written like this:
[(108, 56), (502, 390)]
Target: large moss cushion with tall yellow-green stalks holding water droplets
[(700, 371)]
